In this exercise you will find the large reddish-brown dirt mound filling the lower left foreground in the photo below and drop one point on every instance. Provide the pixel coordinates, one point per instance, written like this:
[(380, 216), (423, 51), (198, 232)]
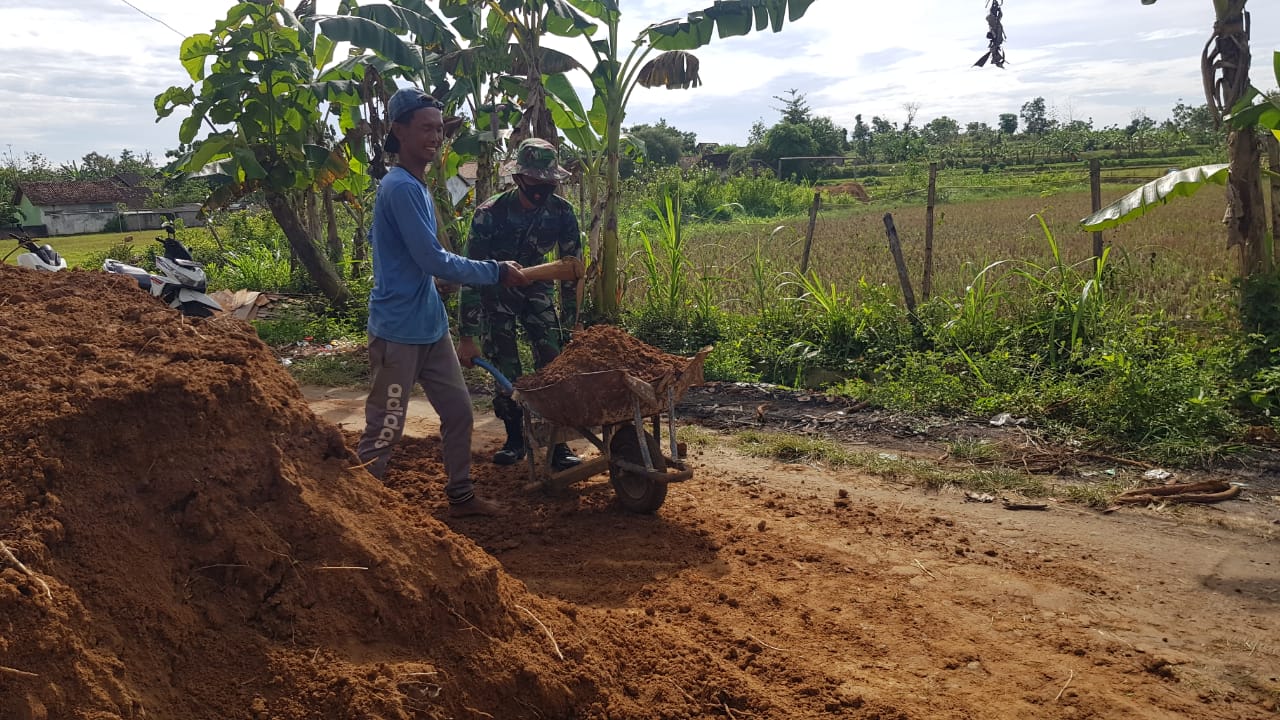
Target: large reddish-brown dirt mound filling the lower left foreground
[(211, 552)]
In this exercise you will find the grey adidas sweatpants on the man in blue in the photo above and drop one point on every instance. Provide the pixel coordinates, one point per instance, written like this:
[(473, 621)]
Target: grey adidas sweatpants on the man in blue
[(396, 368)]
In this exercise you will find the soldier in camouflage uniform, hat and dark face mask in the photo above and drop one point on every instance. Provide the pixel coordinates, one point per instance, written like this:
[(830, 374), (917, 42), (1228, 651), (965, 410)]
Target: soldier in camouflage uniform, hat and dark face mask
[(524, 225)]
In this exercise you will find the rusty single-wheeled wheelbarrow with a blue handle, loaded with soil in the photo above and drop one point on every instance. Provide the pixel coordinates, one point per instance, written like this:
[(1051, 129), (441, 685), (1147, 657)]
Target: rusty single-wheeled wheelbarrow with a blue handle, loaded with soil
[(609, 409)]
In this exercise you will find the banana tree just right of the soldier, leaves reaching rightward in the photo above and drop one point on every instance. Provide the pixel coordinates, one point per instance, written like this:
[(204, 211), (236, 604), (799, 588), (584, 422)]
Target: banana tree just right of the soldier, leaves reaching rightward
[(616, 75)]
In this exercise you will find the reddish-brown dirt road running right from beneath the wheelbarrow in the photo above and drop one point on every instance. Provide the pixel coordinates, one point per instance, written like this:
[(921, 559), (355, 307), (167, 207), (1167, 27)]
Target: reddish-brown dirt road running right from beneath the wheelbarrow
[(836, 594)]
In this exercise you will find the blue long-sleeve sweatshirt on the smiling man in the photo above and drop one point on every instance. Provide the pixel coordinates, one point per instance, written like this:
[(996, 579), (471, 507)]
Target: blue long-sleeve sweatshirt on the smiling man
[(404, 306)]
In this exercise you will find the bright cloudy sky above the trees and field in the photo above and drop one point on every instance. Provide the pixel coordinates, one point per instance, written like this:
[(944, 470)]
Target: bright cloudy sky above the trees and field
[(80, 76)]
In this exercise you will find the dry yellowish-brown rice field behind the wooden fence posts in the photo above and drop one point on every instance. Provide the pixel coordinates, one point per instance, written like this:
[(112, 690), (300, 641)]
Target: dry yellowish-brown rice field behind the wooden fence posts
[(1174, 259)]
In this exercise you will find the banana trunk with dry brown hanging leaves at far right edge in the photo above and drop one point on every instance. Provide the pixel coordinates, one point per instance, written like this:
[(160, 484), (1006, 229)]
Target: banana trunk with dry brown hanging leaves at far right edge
[(1226, 71)]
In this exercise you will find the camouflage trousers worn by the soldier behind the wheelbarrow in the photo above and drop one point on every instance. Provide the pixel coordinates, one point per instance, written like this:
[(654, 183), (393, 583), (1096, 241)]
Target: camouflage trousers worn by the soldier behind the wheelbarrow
[(537, 316)]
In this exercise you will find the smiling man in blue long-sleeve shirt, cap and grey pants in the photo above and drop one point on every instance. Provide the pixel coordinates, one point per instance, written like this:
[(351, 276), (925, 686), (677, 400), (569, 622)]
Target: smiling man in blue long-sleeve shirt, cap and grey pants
[(409, 330)]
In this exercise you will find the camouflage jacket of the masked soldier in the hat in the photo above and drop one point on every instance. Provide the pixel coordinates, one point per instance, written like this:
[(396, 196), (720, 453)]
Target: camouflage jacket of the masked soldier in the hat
[(504, 230)]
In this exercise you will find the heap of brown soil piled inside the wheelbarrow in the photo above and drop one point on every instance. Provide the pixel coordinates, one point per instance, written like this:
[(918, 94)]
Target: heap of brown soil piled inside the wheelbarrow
[(605, 348)]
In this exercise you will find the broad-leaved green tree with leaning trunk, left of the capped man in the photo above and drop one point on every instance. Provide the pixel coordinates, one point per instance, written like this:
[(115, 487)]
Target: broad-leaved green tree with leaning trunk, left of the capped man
[(262, 90)]
